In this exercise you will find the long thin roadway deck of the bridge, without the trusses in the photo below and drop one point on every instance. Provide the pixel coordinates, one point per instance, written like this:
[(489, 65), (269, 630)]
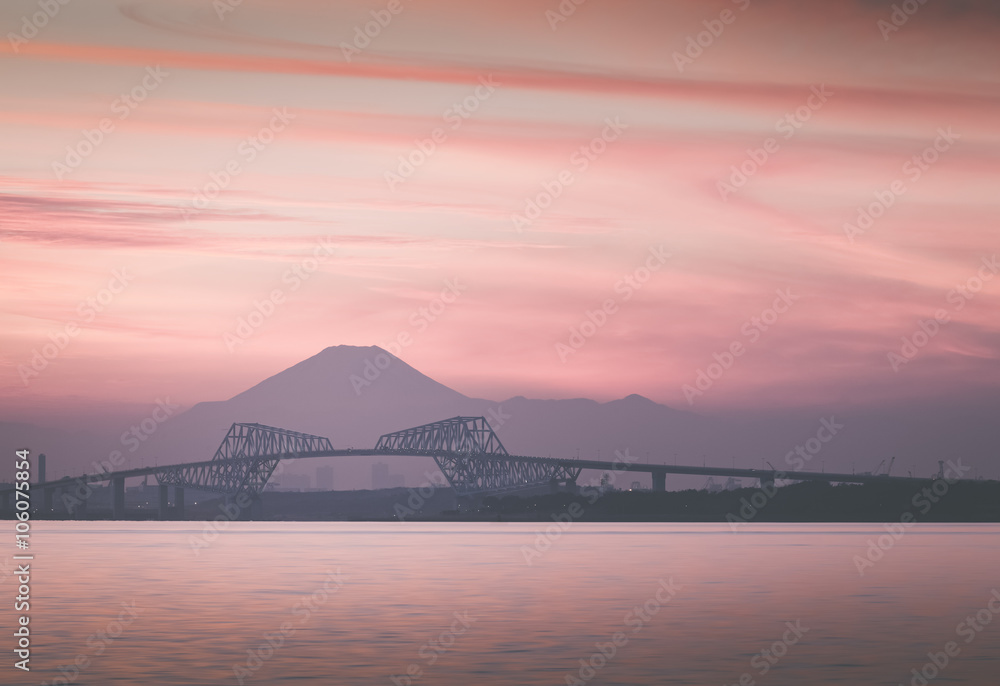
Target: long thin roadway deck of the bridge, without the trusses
[(658, 471)]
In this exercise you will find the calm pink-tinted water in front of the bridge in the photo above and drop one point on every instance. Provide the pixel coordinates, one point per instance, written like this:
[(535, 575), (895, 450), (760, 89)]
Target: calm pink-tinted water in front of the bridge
[(363, 602)]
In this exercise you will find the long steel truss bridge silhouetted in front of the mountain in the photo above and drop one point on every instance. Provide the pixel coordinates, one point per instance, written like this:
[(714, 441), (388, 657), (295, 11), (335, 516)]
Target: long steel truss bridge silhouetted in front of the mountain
[(466, 450)]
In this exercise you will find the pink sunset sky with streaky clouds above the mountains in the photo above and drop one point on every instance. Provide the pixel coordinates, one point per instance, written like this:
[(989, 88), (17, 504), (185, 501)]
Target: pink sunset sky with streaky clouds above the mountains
[(718, 205)]
